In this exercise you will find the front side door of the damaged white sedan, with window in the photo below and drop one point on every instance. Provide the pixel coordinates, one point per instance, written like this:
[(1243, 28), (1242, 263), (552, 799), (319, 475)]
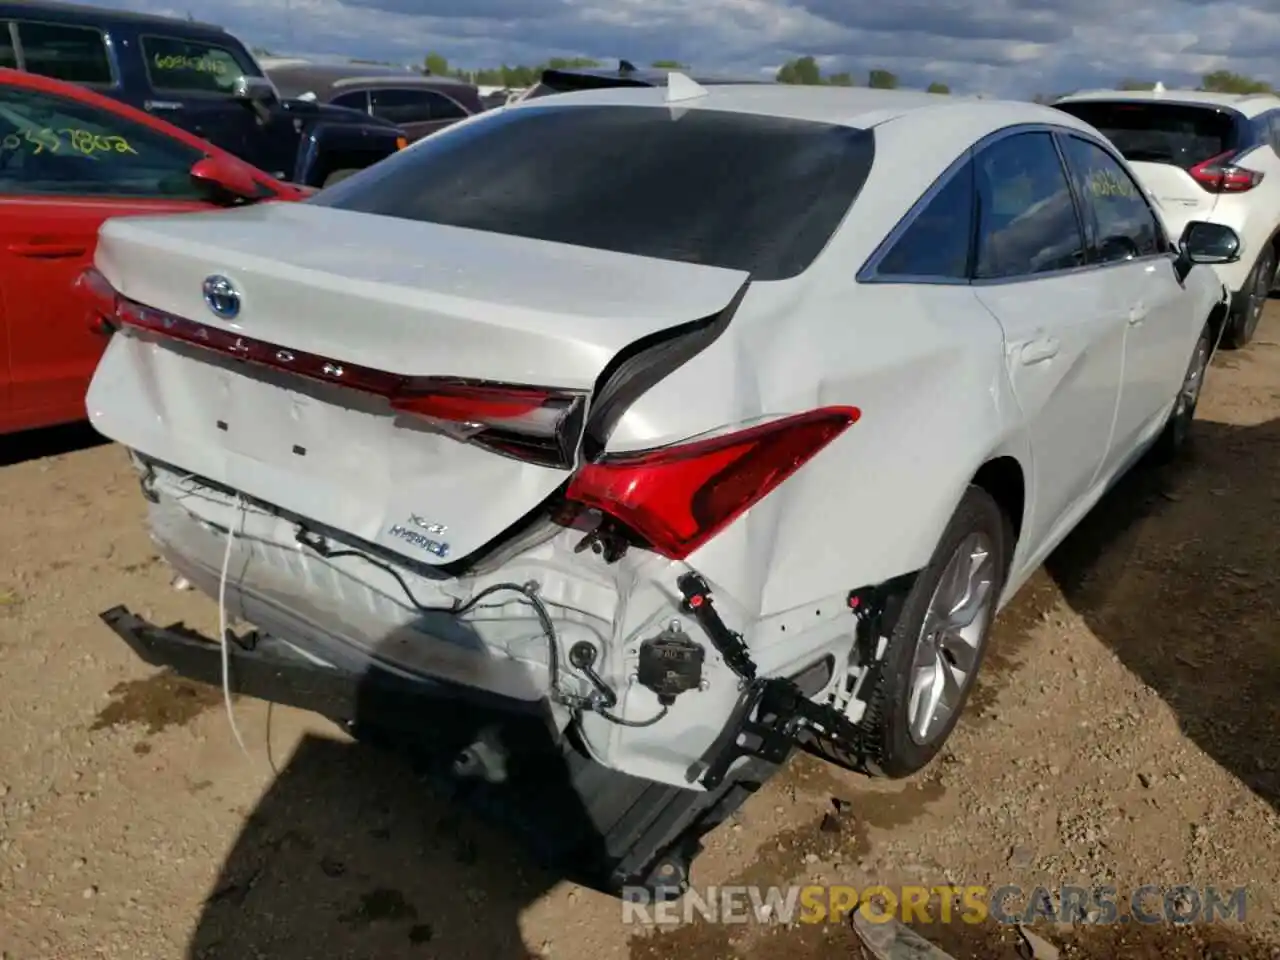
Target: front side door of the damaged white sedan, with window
[(1136, 271)]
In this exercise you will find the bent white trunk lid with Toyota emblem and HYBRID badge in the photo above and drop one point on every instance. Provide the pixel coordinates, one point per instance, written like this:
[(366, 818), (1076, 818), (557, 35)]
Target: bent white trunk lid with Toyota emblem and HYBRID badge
[(367, 351)]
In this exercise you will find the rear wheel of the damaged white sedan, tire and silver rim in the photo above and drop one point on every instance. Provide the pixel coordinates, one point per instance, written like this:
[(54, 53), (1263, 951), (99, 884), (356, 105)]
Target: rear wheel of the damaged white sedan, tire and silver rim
[(921, 685)]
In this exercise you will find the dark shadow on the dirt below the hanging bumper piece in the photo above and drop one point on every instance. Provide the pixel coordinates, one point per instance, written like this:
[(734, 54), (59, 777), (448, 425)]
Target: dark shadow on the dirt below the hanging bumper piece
[(350, 856)]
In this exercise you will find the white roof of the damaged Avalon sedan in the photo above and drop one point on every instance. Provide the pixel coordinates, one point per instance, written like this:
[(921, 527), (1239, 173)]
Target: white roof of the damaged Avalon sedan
[(851, 107)]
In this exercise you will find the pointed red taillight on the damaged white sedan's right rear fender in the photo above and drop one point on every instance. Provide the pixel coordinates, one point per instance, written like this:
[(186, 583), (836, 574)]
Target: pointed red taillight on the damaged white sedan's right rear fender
[(680, 497)]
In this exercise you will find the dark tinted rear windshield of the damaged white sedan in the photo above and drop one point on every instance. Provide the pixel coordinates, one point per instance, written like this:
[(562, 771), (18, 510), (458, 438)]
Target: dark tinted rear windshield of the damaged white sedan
[(739, 191)]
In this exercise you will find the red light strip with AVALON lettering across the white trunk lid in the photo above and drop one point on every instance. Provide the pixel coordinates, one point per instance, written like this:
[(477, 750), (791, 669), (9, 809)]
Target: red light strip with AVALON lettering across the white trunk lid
[(534, 424)]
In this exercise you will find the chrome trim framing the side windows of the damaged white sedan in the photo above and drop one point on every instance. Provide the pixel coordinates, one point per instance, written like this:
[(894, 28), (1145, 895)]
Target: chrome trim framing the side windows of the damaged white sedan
[(870, 272)]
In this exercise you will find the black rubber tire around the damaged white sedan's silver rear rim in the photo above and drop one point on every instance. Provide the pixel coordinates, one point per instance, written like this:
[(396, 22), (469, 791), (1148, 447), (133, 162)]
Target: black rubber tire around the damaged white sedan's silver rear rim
[(890, 748)]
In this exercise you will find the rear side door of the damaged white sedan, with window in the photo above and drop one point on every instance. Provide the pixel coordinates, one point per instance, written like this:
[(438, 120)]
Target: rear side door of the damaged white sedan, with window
[(1063, 344)]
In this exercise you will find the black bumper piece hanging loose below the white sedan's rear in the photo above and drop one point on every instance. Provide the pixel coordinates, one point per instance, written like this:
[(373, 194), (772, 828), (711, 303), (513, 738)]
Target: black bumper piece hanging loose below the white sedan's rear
[(600, 828)]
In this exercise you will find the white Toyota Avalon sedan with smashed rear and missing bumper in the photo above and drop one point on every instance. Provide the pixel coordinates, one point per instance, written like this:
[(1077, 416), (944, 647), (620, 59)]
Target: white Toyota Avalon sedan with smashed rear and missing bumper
[(674, 428)]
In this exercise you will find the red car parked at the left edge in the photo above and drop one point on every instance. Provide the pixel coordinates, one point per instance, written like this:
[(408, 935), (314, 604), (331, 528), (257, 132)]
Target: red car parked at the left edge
[(70, 159)]
